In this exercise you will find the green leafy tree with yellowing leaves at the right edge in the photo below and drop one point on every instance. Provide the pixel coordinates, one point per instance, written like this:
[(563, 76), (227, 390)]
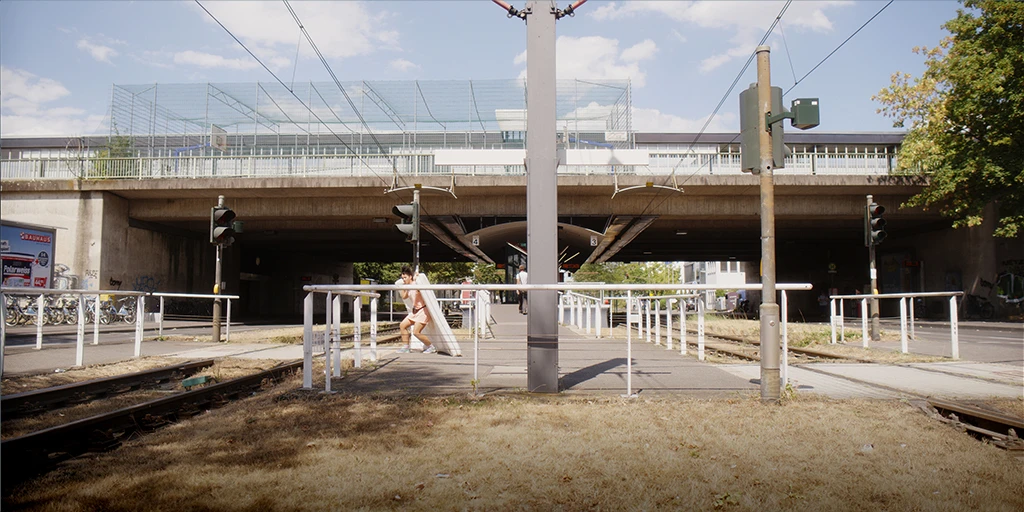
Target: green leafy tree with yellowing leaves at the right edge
[(966, 117)]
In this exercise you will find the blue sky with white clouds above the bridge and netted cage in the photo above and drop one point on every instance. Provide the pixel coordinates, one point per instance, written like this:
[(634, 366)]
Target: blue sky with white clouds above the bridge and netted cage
[(60, 60)]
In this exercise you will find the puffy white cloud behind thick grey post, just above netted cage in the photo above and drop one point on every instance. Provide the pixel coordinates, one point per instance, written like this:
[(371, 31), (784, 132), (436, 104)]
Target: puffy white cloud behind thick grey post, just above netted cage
[(596, 58)]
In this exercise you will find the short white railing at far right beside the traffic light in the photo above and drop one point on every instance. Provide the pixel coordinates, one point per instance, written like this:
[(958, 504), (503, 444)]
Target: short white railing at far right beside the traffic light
[(839, 320)]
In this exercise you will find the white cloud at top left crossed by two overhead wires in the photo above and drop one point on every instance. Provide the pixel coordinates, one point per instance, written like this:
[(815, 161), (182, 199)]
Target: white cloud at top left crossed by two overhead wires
[(339, 29)]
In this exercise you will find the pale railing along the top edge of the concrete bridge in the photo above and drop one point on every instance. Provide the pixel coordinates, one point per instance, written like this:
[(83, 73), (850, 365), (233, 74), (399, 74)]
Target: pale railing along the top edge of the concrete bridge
[(409, 164)]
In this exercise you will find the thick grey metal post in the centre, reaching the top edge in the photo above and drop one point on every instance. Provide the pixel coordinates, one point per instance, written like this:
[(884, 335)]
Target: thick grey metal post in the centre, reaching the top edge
[(542, 198)]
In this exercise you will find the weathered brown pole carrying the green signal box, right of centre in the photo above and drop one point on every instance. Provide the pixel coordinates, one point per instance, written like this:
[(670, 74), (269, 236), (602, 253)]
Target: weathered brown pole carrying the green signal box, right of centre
[(771, 389)]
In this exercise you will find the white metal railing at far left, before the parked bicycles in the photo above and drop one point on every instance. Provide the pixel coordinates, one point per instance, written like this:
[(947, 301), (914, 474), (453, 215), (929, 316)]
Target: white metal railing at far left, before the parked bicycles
[(41, 294)]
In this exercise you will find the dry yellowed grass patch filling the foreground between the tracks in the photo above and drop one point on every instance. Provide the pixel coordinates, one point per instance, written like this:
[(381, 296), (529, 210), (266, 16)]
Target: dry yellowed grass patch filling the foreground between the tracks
[(288, 450)]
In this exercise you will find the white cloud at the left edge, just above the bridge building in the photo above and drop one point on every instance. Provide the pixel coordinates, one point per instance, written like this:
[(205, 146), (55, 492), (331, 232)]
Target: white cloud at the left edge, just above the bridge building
[(23, 112)]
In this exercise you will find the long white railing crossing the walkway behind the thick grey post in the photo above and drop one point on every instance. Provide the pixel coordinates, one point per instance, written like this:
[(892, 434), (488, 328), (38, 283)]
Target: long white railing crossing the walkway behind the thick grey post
[(566, 288)]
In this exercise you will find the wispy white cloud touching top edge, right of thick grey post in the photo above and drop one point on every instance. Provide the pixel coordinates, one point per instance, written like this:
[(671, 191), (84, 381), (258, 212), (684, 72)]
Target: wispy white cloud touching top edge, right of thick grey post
[(747, 21)]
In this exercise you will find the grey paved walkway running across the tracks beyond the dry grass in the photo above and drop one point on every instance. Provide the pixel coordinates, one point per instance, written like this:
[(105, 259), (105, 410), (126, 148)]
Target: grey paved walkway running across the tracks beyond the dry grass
[(587, 366)]
